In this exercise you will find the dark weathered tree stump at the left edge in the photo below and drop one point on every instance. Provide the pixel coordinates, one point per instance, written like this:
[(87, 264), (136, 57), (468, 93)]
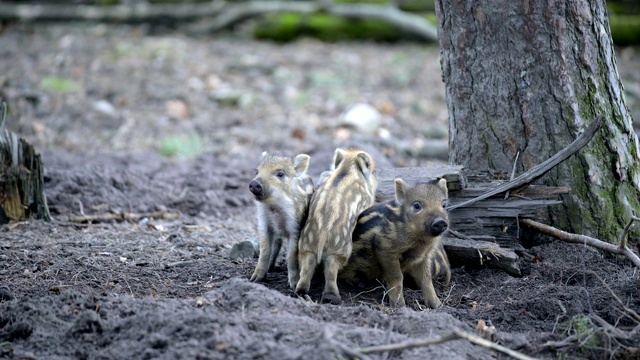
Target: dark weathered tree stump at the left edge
[(21, 179)]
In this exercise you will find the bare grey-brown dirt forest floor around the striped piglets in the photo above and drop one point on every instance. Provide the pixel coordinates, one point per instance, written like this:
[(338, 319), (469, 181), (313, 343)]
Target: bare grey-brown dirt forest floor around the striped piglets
[(129, 122)]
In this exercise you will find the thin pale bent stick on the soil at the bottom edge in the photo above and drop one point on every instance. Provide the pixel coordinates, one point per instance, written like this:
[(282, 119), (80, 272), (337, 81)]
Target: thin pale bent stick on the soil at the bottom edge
[(455, 334)]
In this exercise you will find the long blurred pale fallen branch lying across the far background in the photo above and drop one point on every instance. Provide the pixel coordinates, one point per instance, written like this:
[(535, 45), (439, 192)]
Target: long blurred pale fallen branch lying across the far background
[(219, 14)]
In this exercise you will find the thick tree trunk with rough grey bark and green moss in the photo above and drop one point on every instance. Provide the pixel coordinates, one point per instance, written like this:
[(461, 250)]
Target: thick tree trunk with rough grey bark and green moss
[(526, 77)]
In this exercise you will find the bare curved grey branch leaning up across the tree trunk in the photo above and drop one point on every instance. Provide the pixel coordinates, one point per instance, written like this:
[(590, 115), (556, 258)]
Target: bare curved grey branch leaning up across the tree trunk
[(537, 171)]
